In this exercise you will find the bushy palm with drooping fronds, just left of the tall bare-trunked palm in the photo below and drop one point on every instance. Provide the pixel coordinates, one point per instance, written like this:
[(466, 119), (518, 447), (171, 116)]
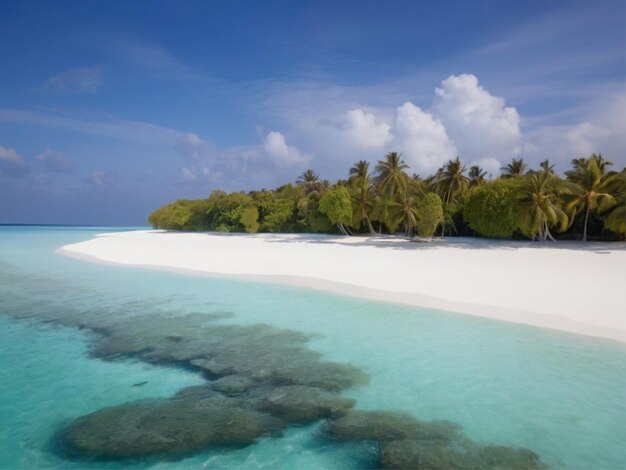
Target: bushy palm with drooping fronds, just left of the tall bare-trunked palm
[(537, 205)]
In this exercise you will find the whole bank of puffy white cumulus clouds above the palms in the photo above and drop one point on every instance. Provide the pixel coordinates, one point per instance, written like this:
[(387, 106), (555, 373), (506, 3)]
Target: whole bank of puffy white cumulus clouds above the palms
[(464, 119)]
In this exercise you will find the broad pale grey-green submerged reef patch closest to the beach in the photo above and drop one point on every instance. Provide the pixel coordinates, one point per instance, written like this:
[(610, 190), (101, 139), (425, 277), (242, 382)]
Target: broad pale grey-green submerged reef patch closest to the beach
[(259, 352)]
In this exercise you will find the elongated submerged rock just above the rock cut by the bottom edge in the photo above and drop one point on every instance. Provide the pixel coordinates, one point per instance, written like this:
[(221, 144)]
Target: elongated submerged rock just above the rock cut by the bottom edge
[(389, 425)]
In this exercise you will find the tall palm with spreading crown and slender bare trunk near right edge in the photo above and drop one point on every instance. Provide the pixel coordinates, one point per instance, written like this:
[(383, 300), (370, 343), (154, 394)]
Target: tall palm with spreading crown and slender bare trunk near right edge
[(594, 188)]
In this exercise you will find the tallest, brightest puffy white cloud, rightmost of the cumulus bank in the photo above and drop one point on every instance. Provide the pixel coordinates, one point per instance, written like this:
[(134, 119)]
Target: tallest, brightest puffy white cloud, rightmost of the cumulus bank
[(479, 123)]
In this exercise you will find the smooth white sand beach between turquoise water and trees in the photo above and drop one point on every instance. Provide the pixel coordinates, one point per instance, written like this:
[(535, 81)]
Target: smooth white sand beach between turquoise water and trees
[(569, 286)]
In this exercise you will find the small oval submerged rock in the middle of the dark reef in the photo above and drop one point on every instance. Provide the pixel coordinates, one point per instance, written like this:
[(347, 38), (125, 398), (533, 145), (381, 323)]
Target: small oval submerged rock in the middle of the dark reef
[(298, 403)]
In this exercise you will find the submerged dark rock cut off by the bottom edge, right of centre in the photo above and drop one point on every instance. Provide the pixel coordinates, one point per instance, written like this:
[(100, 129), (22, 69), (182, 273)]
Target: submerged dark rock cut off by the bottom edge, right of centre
[(416, 454)]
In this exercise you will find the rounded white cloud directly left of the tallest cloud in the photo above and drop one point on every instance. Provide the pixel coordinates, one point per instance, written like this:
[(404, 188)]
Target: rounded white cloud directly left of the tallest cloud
[(422, 139)]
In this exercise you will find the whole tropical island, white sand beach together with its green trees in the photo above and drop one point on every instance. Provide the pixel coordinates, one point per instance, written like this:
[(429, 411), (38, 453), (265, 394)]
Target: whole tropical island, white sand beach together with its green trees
[(490, 270)]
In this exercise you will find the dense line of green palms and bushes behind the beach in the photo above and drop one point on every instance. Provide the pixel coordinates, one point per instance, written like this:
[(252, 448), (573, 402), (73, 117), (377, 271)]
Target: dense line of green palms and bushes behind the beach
[(522, 203)]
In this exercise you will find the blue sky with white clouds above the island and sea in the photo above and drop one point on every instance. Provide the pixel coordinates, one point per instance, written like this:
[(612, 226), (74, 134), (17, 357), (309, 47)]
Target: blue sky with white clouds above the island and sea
[(110, 109)]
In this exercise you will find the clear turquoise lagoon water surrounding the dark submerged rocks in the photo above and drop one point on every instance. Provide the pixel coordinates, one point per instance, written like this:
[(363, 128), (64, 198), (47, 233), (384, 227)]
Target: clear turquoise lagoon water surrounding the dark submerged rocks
[(561, 395)]
